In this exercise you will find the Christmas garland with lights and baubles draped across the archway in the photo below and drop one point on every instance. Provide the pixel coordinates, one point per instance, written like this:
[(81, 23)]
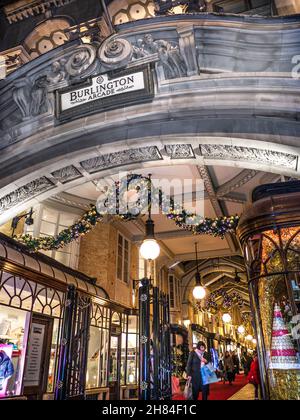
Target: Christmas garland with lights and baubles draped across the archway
[(114, 203)]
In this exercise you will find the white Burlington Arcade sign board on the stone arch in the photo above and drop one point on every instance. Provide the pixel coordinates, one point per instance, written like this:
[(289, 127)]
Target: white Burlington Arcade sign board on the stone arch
[(102, 87)]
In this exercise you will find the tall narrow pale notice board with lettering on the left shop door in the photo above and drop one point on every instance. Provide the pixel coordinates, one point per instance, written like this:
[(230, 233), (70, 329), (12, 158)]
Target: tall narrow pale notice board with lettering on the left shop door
[(34, 357)]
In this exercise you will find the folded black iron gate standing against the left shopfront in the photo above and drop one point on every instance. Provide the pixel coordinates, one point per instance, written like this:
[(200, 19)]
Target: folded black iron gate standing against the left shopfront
[(73, 352)]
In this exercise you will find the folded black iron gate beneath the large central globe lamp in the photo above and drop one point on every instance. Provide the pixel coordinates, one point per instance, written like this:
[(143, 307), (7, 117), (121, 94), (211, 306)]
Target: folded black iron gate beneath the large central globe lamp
[(155, 346)]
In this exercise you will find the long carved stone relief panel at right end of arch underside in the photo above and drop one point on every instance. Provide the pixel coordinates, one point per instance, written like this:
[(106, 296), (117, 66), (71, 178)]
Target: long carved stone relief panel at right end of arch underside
[(269, 157)]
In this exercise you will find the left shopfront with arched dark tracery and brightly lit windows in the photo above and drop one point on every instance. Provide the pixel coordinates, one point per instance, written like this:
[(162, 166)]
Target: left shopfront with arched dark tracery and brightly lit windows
[(32, 310)]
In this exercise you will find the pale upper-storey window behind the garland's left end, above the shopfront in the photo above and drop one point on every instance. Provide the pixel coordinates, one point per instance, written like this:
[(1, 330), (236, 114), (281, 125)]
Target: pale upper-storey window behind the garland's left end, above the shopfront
[(49, 222)]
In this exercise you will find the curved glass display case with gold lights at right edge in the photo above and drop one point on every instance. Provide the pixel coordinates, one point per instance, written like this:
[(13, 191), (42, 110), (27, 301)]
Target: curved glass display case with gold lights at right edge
[(269, 233)]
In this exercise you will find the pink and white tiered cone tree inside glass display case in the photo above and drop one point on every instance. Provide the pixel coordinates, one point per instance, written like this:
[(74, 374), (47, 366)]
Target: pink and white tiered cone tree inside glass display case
[(283, 353)]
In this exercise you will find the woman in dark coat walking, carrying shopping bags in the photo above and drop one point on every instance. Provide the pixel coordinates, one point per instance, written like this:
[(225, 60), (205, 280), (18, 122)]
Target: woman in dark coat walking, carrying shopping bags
[(198, 357)]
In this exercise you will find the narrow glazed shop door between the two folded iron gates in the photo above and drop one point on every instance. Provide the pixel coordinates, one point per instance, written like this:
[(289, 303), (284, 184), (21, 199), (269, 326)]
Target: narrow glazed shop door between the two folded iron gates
[(114, 367)]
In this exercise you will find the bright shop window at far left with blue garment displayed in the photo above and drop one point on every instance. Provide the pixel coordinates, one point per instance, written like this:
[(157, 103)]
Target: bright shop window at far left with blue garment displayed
[(14, 325)]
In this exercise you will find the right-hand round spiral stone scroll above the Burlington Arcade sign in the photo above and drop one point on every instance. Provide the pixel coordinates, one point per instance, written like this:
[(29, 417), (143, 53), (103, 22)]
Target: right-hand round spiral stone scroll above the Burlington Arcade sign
[(115, 53)]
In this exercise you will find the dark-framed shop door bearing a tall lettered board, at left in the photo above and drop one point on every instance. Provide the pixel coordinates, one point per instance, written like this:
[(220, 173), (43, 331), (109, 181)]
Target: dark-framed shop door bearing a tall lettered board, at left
[(38, 356)]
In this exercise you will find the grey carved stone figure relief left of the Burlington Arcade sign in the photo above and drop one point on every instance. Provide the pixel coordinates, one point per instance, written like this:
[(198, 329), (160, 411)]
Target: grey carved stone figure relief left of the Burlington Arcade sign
[(32, 98)]
